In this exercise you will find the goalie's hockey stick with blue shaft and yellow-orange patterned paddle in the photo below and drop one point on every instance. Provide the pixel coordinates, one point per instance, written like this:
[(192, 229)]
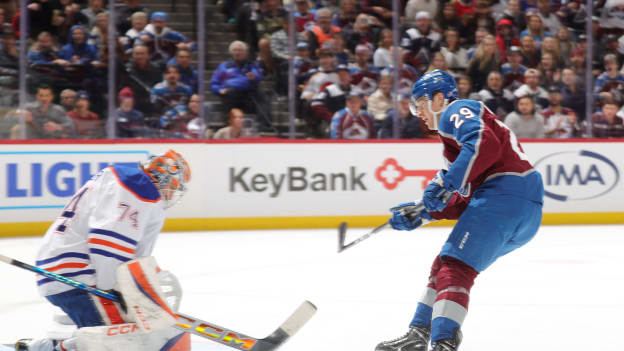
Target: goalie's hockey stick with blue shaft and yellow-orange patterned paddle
[(197, 326)]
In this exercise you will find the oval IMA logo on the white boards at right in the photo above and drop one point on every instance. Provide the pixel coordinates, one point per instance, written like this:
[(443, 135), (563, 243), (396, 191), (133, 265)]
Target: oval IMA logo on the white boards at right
[(577, 175)]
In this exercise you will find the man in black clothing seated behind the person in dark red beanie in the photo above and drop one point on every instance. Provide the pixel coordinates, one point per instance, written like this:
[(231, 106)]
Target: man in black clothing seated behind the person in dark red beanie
[(140, 75)]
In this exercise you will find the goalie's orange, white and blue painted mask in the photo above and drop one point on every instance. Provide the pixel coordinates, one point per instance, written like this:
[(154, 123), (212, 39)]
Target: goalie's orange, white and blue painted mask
[(169, 173)]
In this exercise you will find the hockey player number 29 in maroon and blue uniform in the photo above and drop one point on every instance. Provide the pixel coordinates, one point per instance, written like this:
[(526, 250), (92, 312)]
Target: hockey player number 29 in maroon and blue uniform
[(488, 185)]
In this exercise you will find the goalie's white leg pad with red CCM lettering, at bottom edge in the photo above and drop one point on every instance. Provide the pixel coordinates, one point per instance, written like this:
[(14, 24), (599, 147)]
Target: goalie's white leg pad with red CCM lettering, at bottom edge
[(129, 337)]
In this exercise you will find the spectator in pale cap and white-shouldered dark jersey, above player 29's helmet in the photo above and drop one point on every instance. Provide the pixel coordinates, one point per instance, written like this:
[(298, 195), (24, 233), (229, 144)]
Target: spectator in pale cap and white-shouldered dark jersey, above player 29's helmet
[(420, 42)]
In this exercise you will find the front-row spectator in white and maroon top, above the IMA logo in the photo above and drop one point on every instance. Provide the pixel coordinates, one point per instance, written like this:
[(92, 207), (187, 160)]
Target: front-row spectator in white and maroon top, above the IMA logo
[(561, 122)]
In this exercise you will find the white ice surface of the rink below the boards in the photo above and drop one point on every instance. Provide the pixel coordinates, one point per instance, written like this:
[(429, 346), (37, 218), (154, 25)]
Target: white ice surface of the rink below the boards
[(562, 291)]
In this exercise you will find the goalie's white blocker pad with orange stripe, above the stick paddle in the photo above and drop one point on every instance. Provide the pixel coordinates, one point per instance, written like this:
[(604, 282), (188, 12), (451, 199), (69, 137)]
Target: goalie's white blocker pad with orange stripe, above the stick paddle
[(139, 285)]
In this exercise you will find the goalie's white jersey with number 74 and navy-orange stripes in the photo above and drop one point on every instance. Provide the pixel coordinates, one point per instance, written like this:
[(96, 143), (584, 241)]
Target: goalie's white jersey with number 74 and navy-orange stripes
[(114, 218)]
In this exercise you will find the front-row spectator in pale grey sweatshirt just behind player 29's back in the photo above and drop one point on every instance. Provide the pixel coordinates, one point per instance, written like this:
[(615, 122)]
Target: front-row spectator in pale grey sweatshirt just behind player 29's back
[(526, 122)]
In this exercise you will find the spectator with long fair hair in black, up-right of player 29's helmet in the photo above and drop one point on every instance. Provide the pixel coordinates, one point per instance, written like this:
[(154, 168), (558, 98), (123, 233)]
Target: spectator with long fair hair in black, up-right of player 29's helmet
[(487, 58)]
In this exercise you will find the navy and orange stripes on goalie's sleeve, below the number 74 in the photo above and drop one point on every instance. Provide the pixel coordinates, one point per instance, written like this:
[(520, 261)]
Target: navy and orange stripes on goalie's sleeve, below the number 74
[(111, 244)]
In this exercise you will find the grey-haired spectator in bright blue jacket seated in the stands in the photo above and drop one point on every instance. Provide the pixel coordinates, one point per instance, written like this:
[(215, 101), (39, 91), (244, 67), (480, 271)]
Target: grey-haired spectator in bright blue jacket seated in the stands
[(236, 81)]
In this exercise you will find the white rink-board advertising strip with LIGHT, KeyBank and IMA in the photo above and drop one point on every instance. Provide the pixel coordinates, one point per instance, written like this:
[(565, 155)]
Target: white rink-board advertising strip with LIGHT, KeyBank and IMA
[(296, 179)]
